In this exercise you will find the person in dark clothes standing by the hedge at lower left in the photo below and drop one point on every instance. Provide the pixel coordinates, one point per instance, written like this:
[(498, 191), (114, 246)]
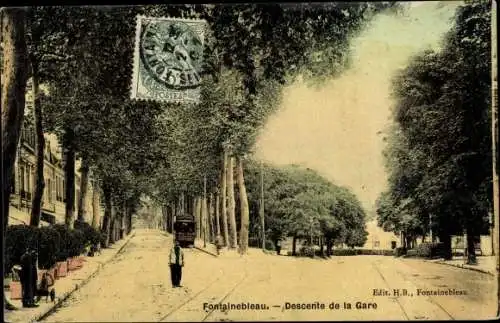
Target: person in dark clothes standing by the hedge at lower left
[(28, 278)]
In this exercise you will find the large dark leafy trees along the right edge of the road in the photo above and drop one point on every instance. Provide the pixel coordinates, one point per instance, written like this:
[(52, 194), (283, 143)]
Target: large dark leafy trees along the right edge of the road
[(439, 151)]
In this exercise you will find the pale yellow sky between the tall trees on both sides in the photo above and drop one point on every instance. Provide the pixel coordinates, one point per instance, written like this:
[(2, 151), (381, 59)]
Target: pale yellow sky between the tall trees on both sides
[(338, 129)]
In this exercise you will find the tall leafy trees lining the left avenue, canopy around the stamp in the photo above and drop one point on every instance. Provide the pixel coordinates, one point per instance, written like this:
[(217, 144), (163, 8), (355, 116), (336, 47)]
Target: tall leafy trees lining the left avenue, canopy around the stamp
[(178, 154)]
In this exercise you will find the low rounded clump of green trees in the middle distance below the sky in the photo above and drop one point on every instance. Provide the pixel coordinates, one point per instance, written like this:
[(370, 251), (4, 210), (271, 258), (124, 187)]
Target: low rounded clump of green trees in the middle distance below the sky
[(301, 203)]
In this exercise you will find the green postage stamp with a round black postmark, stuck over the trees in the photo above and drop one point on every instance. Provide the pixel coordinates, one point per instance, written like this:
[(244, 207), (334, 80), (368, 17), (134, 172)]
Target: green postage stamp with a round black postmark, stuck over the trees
[(167, 59)]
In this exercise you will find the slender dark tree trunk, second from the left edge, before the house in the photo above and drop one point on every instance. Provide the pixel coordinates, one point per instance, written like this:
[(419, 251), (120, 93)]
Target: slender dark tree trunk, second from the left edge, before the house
[(36, 203)]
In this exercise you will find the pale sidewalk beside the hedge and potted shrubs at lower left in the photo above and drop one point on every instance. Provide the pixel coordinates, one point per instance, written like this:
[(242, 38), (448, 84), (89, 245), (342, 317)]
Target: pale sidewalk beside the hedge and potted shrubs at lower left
[(65, 286)]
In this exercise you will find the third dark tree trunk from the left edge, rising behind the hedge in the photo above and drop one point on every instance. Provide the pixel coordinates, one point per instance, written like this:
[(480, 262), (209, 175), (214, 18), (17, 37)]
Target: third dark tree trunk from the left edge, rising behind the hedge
[(69, 176)]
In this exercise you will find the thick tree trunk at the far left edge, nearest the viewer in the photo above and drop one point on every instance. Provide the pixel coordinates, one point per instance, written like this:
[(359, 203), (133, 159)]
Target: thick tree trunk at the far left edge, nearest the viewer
[(13, 92)]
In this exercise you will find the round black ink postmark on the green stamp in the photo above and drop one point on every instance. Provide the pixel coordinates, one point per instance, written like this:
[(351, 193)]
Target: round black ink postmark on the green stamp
[(172, 53)]
